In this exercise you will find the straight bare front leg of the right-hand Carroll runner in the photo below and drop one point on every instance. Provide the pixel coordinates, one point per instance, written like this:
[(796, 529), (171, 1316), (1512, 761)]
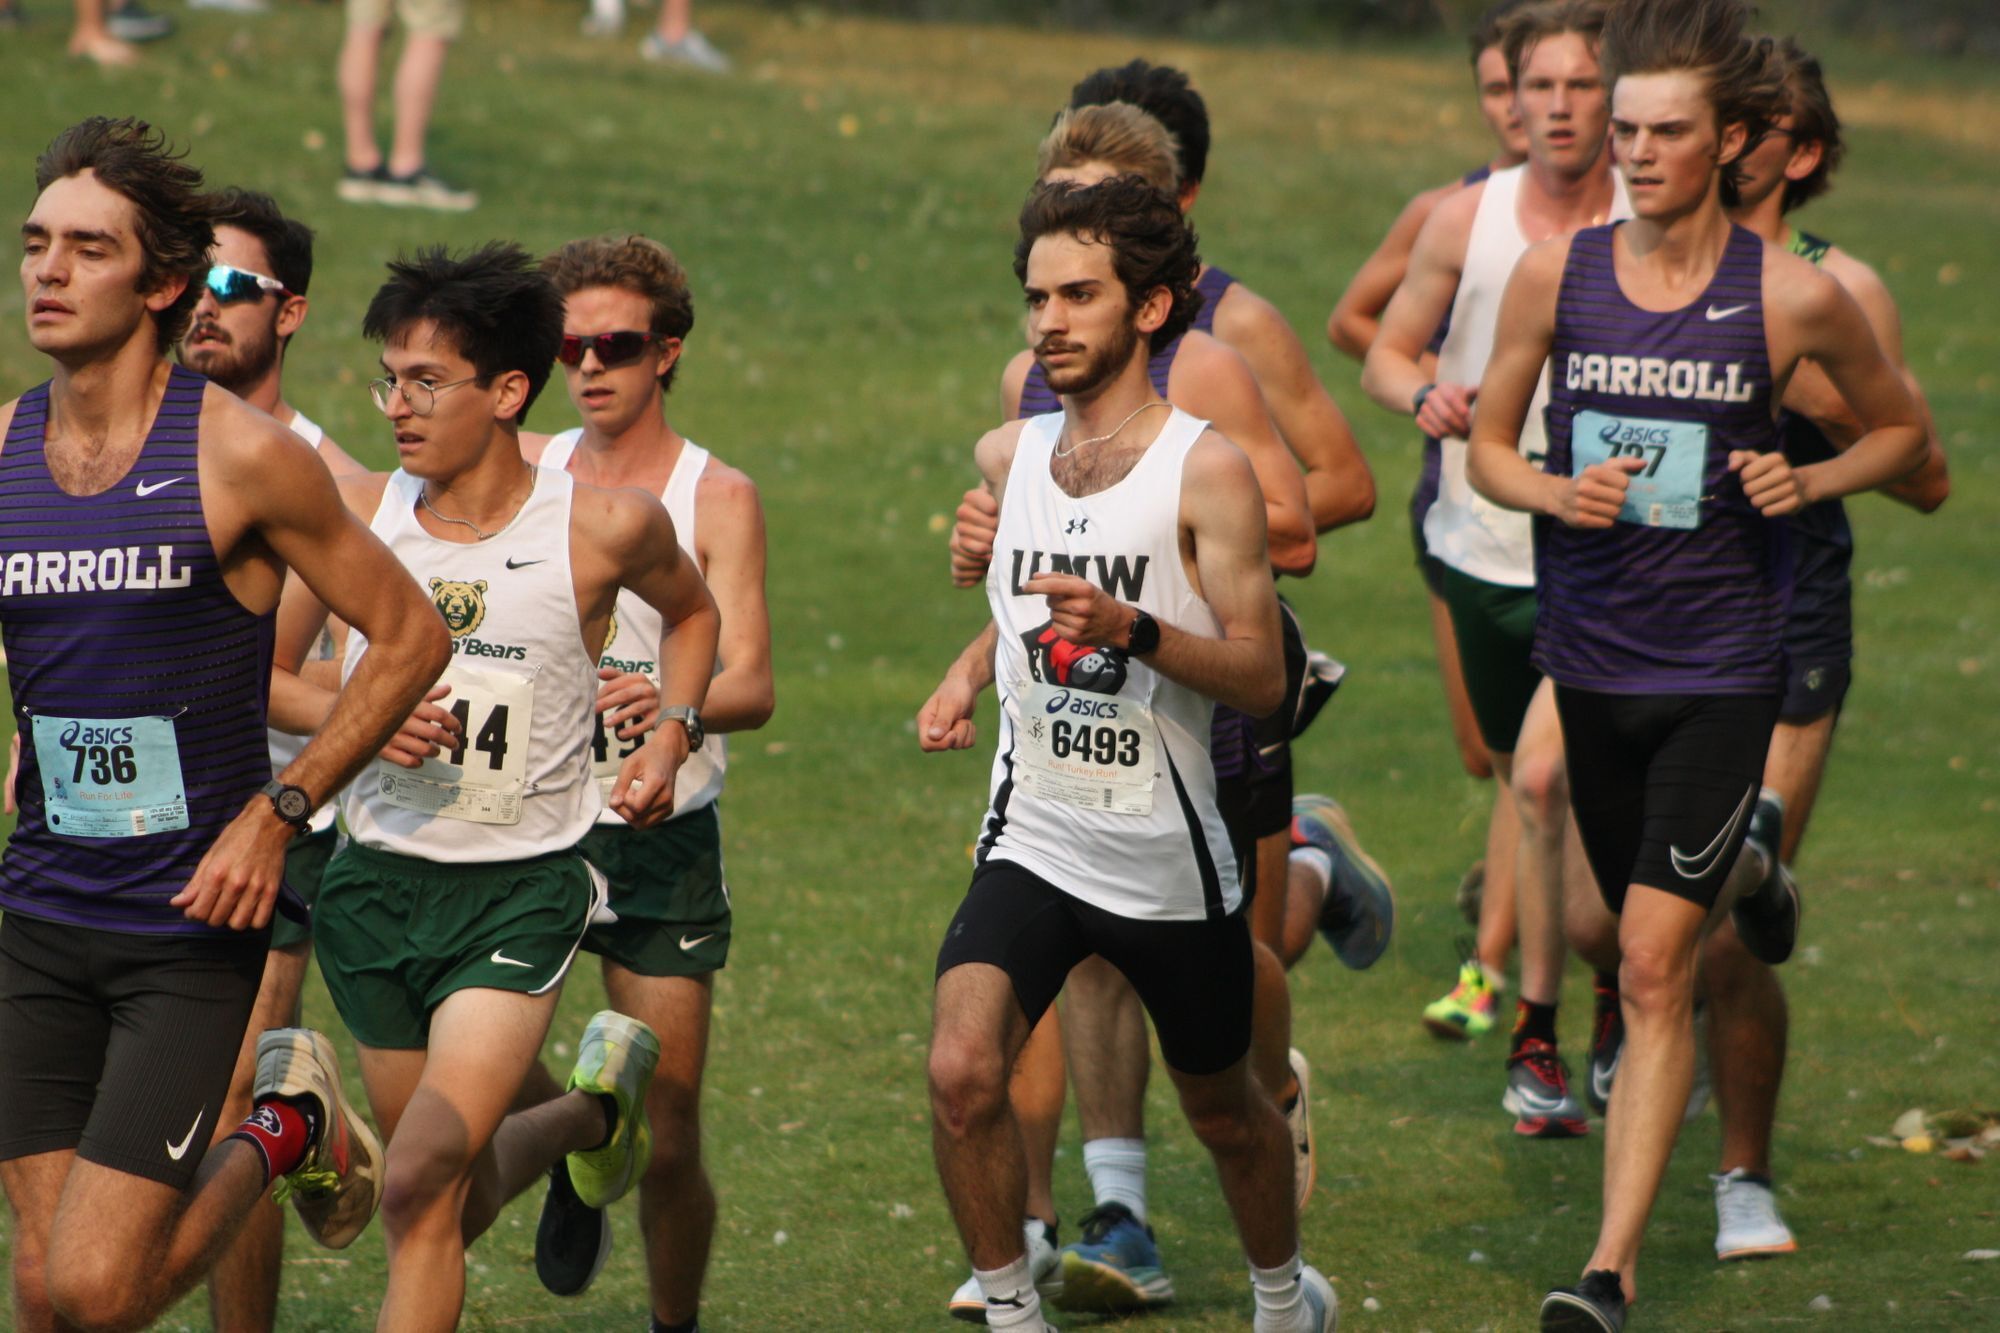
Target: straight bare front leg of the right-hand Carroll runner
[(1659, 936)]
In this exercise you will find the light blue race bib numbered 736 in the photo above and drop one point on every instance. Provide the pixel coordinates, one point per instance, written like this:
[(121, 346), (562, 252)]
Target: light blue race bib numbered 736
[(111, 778)]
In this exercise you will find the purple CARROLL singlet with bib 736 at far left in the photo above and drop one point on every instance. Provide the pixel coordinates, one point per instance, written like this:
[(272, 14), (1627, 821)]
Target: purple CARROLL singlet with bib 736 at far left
[(129, 653)]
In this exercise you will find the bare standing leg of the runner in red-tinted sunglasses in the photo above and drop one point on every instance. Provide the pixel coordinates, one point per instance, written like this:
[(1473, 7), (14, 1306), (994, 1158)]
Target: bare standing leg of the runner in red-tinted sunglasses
[(677, 1204)]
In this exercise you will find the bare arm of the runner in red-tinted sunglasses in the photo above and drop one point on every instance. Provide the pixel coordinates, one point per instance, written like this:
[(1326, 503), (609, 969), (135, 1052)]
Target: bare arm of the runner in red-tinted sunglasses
[(743, 696)]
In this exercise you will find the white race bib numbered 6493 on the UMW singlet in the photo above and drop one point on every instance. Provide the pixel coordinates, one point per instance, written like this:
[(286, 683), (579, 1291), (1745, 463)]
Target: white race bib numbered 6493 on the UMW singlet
[(1093, 752)]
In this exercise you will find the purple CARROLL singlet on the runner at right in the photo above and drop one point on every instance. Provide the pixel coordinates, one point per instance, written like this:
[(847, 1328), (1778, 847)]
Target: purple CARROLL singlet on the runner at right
[(1685, 593)]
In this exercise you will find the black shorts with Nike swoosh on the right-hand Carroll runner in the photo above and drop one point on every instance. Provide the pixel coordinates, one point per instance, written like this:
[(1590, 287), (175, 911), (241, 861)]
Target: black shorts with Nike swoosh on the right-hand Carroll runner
[(1663, 786)]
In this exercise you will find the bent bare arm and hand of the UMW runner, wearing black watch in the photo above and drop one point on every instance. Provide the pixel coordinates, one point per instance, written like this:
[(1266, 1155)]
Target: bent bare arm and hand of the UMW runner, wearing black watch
[(1223, 515)]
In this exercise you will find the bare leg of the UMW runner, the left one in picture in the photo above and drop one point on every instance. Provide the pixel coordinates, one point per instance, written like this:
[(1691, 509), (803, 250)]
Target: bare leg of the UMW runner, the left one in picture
[(977, 1034)]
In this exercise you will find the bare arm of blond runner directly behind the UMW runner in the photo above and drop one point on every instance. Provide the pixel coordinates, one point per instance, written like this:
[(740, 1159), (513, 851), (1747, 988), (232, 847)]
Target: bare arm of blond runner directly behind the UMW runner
[(1215, 383)]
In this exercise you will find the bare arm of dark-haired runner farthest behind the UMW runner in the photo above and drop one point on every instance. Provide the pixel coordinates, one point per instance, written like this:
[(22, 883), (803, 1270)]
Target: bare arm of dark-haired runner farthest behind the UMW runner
[(1339, 483)]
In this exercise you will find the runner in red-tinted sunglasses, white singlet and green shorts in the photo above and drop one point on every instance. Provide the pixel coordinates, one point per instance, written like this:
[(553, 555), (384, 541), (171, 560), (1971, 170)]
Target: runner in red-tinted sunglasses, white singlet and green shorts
[(627, 319)]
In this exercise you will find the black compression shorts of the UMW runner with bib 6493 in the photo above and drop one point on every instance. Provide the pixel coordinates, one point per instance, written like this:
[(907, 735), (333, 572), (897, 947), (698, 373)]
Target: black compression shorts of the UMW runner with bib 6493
[(1193, 976)]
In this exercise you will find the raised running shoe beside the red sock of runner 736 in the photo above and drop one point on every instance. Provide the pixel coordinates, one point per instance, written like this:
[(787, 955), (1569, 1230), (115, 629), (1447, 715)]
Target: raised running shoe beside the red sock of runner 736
[(339, 1184)]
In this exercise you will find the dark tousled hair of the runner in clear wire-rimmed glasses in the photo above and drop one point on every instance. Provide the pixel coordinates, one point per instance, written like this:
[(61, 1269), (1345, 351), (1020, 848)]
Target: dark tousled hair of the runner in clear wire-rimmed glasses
[(495, 305)]
